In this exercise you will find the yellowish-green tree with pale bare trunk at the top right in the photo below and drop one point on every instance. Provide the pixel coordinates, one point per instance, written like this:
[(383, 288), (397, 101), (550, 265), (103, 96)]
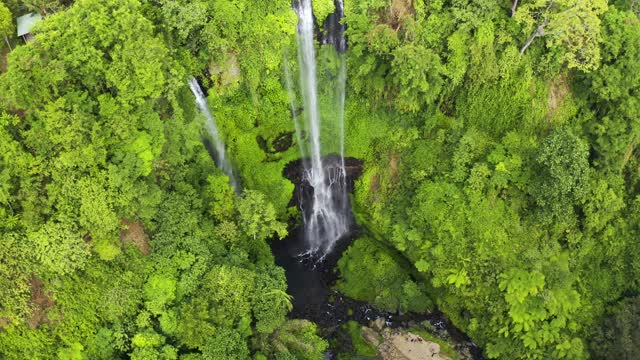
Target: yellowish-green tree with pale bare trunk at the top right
[(570, 26)]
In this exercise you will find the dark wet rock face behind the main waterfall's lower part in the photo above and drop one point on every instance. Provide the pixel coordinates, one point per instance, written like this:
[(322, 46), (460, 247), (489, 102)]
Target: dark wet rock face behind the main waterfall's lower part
[(294, 171)]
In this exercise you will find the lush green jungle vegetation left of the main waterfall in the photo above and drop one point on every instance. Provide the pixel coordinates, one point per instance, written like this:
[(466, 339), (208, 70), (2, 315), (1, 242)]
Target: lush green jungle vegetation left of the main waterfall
[(119, 237)]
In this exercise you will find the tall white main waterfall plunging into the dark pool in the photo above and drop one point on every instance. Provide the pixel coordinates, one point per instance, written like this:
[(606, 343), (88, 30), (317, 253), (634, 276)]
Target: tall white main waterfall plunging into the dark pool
[(327, 218)]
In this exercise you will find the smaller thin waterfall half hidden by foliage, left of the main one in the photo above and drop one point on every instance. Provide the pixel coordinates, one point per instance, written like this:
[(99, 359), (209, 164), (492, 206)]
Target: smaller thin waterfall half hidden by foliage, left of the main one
[(219, 154)]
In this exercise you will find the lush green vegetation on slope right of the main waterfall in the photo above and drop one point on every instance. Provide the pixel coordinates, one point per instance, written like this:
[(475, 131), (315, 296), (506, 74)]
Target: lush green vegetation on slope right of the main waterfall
[(508, 179)]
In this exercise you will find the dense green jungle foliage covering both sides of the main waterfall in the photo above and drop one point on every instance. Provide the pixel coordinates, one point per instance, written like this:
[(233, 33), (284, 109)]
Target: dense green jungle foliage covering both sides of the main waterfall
[(501, 163)]
